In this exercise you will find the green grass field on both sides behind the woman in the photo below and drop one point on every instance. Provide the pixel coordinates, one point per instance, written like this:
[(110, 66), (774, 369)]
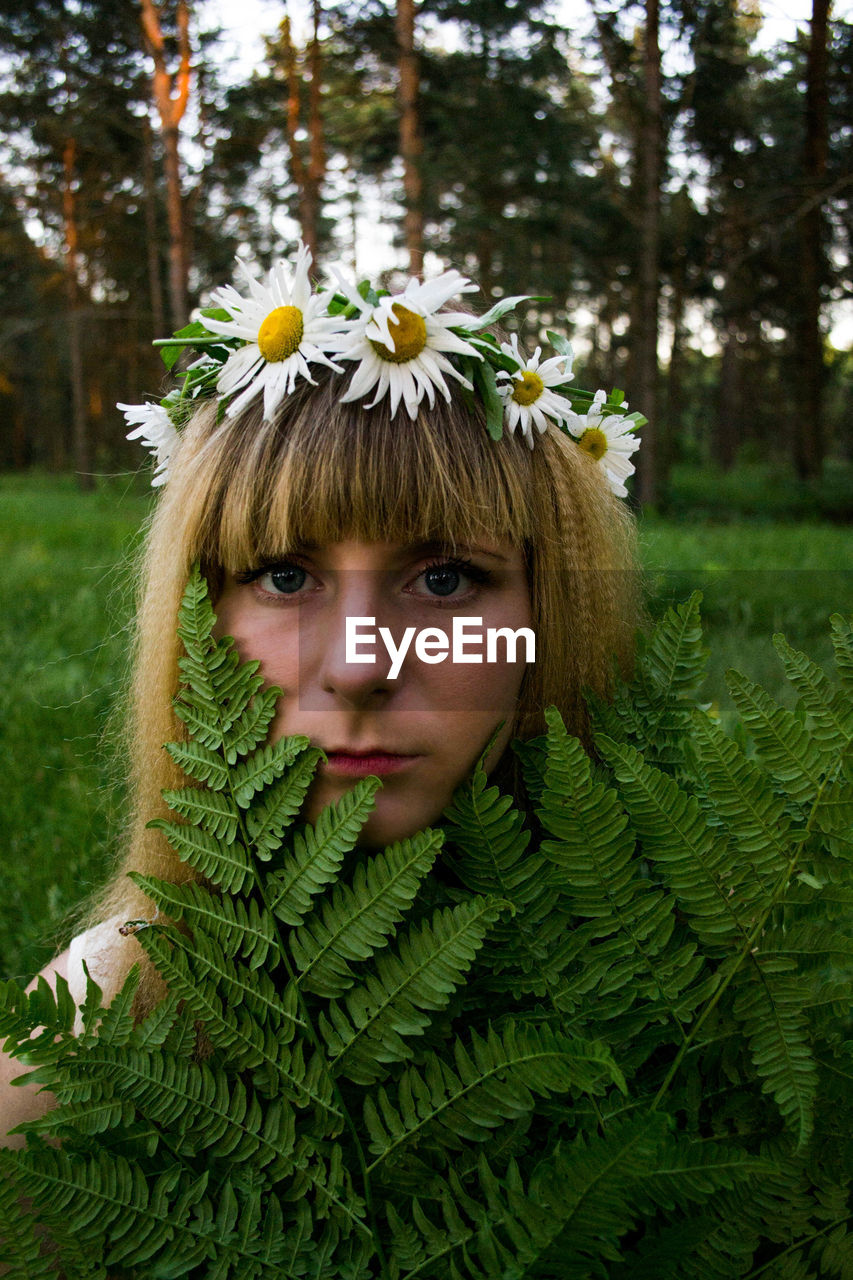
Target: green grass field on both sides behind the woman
[(66, 583)]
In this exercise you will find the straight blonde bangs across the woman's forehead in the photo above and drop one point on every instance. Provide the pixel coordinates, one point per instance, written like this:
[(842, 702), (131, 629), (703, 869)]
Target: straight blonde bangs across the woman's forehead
[(336, 472)]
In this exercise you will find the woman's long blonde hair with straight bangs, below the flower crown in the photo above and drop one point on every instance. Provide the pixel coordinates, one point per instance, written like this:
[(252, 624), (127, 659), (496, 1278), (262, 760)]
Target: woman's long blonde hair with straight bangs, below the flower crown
[(244, 491)]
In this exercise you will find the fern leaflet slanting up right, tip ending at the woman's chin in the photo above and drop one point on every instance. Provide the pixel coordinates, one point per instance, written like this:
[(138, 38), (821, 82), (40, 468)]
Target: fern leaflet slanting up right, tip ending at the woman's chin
[(358, 918)]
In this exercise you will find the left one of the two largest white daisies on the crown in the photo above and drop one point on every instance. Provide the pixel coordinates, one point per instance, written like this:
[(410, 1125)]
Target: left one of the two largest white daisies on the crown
[(285, 327)]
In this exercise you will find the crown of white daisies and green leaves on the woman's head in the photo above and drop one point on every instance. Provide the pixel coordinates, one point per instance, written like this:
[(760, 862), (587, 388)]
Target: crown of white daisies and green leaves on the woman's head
[(405, 348)]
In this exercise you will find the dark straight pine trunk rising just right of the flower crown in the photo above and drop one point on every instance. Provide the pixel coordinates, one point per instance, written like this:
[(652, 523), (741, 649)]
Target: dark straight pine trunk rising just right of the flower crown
[(645, 319)]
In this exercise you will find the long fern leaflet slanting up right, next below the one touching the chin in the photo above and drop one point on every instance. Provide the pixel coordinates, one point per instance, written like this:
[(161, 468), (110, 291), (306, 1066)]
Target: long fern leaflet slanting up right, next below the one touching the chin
[(366, 1032)]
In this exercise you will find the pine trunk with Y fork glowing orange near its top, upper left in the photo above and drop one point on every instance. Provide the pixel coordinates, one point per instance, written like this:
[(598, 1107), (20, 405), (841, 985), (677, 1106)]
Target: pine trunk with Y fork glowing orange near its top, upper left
[(171, 95)]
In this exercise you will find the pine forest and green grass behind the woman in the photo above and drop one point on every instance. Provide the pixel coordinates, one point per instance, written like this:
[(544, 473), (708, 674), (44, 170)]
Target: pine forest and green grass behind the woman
[(677, 185)]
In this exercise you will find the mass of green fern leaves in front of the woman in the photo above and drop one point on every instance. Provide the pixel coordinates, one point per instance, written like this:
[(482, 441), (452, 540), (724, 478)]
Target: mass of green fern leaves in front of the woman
[(612, 1039)]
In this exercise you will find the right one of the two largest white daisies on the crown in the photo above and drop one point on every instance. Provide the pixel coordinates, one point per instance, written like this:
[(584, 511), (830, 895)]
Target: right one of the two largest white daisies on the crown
[(402, 342)]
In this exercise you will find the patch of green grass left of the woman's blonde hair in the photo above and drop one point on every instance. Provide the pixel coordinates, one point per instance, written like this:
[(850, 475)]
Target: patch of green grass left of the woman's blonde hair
[(66, 591)]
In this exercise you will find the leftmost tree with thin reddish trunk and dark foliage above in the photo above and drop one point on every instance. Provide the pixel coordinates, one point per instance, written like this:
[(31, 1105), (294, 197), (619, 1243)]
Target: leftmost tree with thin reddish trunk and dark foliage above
[(74, 148)]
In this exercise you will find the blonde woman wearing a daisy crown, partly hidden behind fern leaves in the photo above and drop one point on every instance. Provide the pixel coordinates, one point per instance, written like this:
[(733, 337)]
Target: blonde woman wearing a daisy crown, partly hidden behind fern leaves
[(309, 509)]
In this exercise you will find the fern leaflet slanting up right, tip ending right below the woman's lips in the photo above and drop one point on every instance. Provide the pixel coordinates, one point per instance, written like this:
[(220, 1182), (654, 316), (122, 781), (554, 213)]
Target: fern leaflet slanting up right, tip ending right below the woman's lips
[(317, 853)]
